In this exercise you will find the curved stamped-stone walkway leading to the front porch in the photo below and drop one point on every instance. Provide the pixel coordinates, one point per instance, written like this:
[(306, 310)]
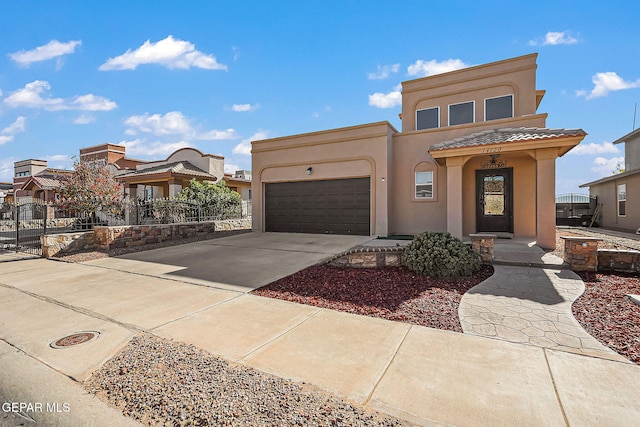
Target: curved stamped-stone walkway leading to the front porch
[(532, 306)]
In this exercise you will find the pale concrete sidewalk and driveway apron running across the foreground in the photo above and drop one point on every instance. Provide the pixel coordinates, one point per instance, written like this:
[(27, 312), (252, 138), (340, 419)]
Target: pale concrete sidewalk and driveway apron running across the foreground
[(425, 376)]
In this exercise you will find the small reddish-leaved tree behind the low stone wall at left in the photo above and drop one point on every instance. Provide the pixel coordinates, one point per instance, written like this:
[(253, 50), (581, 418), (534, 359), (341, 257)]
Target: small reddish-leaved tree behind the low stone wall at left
[(90, 188)]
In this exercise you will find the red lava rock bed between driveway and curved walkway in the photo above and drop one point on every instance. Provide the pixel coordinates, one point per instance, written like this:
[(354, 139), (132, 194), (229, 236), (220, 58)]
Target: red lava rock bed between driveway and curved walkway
[(392, 293)]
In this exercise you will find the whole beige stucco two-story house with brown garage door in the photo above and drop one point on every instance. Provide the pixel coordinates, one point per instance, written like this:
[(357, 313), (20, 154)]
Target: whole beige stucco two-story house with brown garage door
[(473, 155)]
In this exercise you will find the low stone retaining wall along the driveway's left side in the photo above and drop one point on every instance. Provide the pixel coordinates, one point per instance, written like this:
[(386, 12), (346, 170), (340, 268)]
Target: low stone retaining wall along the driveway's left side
[(105, 238)]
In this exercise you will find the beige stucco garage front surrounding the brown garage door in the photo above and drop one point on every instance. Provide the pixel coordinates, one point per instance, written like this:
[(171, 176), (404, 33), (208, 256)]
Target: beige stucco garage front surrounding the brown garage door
[(358, 151)]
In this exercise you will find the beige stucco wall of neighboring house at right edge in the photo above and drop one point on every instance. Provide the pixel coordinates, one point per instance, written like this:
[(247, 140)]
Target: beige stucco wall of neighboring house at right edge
[(607, 196)]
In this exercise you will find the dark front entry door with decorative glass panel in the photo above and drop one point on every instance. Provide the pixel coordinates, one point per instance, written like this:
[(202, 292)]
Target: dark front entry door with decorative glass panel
[(494, 195)]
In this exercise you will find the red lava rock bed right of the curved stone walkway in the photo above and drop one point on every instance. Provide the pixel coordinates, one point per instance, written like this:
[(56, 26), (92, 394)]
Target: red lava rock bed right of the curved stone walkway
[(609, 316)]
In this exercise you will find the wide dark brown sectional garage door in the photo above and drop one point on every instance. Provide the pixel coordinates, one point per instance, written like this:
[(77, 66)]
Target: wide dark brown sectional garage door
[(338, 206)]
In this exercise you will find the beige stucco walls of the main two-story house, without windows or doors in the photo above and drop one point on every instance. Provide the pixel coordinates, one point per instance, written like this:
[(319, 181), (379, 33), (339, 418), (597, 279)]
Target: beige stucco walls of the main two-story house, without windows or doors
[(378, 151)]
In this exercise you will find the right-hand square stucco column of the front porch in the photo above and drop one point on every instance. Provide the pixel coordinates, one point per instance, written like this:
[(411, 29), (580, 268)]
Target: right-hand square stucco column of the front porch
[(546, 197)]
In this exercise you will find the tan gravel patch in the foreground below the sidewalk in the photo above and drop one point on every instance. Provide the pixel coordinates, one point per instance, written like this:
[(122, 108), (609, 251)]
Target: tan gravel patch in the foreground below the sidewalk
[(165, 383)]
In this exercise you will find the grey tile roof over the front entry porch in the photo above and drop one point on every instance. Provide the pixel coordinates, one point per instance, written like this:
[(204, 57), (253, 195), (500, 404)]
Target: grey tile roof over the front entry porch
[(496, 136)]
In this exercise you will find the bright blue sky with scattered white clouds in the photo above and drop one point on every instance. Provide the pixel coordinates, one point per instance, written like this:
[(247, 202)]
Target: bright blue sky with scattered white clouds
[(160, 75)]
